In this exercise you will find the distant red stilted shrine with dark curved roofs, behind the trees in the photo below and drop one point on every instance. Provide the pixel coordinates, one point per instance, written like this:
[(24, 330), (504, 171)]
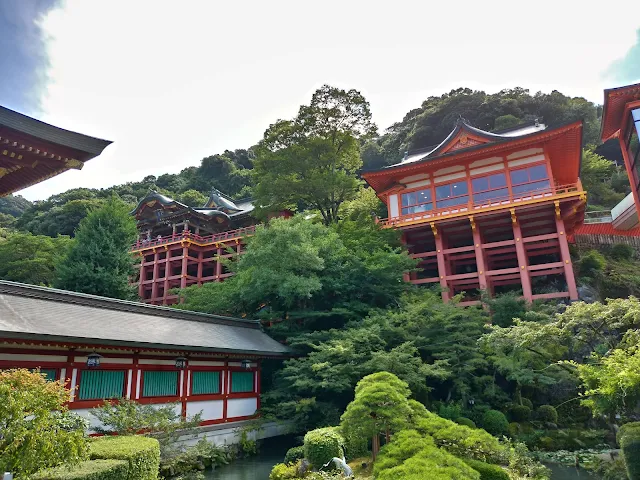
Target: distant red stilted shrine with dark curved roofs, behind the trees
[(181, 246)]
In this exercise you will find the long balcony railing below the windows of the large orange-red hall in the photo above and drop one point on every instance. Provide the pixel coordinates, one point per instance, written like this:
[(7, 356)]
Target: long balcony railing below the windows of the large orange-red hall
[(471, 207)]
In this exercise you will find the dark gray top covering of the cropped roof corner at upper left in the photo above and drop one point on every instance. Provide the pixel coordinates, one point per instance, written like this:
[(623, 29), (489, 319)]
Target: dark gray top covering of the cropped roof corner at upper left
[(22, 123)]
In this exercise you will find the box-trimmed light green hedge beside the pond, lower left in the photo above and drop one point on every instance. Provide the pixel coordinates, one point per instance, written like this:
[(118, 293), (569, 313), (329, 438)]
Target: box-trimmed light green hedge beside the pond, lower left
[(142, 453)]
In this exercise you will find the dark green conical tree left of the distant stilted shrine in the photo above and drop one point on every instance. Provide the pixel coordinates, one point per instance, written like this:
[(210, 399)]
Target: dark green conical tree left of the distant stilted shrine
[(99, 262)]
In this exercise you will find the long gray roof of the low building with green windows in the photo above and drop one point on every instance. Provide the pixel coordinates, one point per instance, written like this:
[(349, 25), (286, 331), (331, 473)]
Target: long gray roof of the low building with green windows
[(44, 313)]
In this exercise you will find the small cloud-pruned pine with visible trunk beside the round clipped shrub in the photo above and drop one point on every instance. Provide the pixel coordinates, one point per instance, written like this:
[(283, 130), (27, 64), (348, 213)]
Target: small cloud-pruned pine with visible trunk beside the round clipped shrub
[(380, 406)]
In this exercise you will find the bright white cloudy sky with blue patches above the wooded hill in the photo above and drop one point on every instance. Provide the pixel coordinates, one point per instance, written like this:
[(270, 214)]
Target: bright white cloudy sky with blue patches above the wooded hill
[(170, 82)]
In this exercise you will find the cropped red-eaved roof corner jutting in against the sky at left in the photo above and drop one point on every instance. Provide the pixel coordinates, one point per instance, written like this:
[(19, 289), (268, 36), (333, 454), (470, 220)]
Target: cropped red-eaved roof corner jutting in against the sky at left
[(32, 151)]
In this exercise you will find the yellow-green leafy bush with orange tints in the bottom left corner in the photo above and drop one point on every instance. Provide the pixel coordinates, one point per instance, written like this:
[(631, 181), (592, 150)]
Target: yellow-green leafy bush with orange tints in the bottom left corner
[(34, 424)]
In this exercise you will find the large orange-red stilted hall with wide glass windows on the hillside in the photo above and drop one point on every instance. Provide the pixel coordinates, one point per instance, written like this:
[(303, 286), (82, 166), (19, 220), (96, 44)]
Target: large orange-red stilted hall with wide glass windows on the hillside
[(487, 211)]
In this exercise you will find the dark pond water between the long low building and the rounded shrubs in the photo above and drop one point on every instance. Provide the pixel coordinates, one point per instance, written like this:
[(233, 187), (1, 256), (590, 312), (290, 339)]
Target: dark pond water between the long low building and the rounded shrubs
[(257, 467)]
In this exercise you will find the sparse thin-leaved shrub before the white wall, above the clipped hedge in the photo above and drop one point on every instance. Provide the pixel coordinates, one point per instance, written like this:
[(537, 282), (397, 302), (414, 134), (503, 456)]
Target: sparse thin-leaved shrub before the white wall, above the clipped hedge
[(128, 417)]
